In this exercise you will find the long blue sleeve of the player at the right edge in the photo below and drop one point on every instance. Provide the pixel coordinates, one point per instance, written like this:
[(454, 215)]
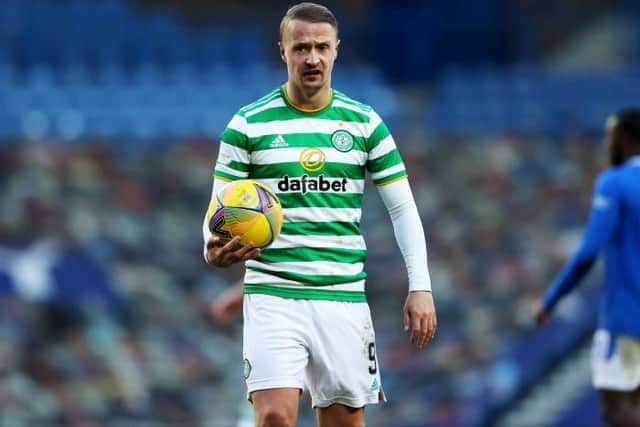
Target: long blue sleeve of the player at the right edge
[(602, 221)]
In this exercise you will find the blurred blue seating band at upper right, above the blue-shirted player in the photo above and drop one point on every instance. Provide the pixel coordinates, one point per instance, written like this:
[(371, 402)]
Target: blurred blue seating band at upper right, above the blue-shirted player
[(530, 99)]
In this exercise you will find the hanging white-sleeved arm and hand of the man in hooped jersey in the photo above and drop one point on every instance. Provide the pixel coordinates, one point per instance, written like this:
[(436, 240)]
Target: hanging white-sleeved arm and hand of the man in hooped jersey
[(419, 313)]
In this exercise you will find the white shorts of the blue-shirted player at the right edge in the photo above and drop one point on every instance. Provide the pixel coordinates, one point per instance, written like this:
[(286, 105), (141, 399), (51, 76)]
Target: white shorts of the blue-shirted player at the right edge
[(615, 362)]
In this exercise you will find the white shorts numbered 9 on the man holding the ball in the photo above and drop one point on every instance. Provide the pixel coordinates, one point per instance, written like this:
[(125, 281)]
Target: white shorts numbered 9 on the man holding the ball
[(327, 347)]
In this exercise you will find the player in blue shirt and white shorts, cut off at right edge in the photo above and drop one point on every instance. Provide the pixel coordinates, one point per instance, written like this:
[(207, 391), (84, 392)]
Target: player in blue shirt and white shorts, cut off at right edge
[(613, 232)]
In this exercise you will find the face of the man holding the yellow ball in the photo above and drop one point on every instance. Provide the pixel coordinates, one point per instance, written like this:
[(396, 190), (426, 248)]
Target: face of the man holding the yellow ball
[(309, 50)]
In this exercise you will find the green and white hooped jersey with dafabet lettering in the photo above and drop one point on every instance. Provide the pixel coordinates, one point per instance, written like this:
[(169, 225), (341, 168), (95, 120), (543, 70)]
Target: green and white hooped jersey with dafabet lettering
[(315, 161)]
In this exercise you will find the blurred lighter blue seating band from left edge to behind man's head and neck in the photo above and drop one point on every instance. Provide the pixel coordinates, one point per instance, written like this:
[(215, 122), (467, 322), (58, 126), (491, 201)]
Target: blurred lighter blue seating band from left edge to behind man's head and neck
[(148, 101)]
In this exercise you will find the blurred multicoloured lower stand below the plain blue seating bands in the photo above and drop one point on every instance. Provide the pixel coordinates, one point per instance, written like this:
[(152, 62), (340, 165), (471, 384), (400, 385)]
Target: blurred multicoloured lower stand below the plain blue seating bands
[(139, 214)]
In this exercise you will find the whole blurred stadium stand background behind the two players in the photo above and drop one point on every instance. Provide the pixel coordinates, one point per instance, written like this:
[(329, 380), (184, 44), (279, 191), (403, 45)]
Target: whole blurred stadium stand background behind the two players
[(110, 113)]
